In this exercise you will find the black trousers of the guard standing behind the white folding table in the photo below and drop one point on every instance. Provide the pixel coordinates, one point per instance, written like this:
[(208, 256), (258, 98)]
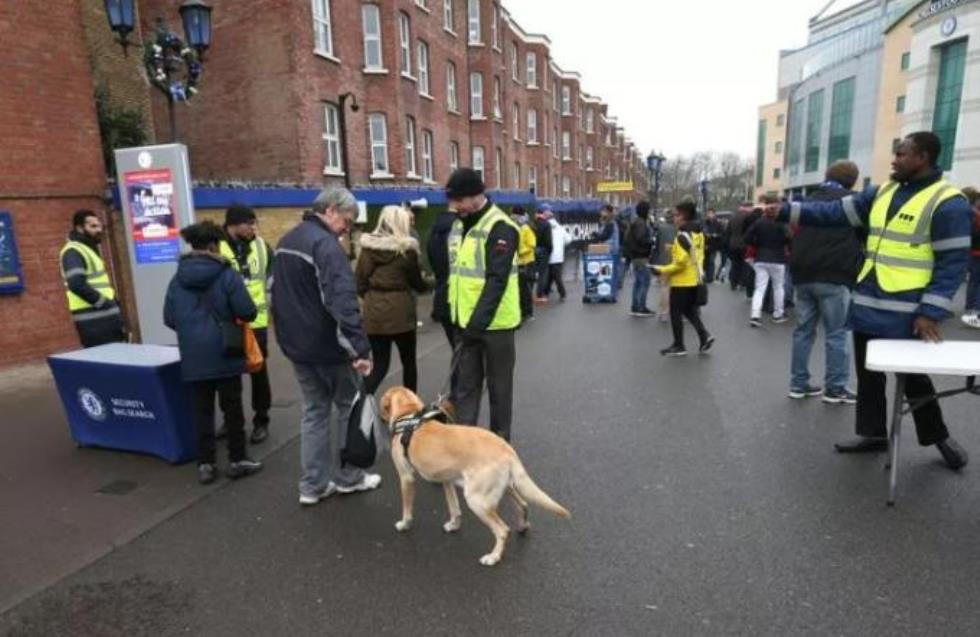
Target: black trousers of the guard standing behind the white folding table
[(871, 416)]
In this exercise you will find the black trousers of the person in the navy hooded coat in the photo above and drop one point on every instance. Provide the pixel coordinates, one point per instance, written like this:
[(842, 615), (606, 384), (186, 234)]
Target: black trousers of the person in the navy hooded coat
[(229, 391)]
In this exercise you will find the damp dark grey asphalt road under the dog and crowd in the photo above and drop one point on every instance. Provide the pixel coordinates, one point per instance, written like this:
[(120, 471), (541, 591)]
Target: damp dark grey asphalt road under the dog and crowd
[(703, 502)]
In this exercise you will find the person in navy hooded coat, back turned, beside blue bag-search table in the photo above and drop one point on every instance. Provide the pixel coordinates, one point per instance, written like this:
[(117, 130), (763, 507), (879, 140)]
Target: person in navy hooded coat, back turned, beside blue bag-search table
[(205, 298)]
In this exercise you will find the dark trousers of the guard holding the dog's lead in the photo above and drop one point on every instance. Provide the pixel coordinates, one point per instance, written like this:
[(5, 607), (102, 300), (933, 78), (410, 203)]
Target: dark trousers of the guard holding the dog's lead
[(490, 357)]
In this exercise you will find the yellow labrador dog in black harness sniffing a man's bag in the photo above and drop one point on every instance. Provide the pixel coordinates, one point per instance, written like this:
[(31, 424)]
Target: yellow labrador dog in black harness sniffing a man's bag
[(479, 461)]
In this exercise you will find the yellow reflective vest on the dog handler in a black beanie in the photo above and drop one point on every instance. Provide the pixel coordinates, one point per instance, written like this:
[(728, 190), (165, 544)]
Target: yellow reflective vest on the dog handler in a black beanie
[(468, 272)]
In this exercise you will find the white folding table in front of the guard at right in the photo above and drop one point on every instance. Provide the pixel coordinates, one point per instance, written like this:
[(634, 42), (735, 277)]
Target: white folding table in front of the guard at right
[(903, 357)]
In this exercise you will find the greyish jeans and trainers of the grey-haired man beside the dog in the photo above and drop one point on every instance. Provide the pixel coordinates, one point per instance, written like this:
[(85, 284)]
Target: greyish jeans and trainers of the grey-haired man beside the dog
[(324, 386)]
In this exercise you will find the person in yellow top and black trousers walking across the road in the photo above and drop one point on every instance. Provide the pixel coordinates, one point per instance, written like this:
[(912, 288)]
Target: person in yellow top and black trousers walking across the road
[(684, 272)]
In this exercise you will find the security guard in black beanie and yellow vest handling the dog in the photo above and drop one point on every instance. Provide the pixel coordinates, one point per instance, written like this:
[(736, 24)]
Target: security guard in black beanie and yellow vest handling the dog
[(484, 300)]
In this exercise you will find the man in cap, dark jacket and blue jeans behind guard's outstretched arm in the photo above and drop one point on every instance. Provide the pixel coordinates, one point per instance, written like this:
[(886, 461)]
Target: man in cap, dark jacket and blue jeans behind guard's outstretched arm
[(824, 263)]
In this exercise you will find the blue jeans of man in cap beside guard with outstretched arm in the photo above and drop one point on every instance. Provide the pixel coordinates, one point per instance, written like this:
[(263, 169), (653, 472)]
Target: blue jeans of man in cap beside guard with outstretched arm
[(826, 302)]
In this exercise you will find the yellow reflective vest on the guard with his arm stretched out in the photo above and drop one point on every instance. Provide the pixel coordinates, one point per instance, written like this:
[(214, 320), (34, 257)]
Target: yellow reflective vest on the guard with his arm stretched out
[(900, 250)]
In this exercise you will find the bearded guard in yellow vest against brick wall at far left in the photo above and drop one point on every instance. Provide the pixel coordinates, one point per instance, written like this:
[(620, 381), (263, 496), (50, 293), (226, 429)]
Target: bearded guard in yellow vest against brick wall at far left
[(91, 297)]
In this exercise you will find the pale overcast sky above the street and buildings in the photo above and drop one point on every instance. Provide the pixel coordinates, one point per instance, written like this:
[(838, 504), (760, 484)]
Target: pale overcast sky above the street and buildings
[(680, 75)]
